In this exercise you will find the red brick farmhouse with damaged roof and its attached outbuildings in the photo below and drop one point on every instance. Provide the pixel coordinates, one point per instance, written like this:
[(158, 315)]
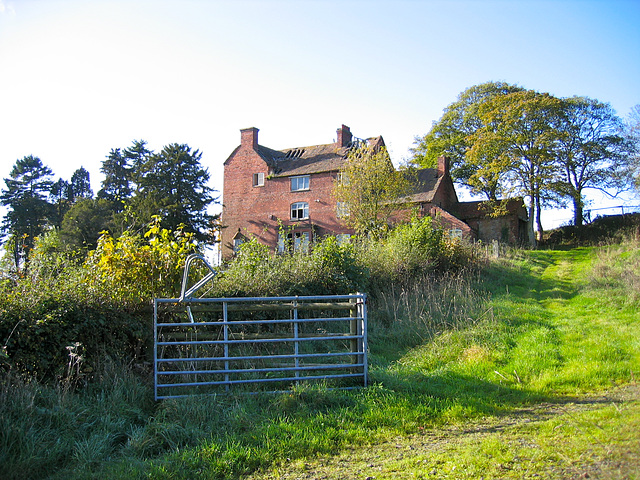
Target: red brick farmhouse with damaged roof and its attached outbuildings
[(284, 198)]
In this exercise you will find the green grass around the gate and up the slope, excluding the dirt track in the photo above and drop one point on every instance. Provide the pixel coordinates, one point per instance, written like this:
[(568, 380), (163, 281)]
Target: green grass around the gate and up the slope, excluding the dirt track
[(444, 348)]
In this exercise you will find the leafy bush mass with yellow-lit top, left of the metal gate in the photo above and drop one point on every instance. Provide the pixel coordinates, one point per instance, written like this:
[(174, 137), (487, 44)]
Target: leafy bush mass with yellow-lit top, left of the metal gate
[(104, 304)]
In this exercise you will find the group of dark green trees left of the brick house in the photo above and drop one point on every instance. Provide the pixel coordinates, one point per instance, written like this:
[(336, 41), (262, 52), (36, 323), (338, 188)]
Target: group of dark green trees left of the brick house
[(139, 184)]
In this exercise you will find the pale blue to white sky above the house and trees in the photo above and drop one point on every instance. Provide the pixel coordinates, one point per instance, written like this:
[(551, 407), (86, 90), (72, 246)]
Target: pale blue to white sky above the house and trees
[(81, 77)]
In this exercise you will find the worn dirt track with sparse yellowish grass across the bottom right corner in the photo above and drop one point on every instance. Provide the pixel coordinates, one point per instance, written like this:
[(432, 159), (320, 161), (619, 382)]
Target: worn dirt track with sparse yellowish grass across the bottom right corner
[(430, 454)]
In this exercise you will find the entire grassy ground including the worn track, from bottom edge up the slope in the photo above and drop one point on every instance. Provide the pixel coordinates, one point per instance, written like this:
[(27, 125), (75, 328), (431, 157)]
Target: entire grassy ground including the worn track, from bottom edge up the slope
[(524, 369)]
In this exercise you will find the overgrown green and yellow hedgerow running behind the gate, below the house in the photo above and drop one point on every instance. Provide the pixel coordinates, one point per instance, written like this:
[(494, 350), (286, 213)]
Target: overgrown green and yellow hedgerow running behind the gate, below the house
[(103, 302)]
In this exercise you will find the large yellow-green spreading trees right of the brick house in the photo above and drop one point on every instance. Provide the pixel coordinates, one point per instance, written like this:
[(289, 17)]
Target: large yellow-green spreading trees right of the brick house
[(504, 140)]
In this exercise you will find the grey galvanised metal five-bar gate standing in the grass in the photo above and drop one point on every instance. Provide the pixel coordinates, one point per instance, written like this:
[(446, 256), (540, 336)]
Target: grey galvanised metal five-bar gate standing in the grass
[(217, 345)]
